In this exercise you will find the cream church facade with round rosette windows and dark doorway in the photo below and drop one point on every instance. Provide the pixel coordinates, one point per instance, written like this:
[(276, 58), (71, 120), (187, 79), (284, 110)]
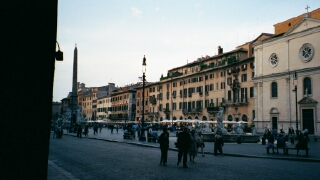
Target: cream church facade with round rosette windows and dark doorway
[(283, 62)]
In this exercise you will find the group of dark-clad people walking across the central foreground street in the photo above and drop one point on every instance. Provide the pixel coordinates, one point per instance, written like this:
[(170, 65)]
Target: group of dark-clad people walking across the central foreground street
[(187, 143)]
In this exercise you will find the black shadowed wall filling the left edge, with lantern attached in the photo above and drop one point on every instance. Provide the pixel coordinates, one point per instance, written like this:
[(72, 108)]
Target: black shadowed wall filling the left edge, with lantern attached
[(27, 54)]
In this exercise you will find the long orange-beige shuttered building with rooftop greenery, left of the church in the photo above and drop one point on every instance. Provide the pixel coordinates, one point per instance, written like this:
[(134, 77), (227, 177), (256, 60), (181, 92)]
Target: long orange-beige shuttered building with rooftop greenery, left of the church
[(196, 90)]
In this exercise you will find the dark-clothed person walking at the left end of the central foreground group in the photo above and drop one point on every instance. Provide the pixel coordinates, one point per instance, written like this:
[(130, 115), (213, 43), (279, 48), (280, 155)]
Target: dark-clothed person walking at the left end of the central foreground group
[(164, 146)]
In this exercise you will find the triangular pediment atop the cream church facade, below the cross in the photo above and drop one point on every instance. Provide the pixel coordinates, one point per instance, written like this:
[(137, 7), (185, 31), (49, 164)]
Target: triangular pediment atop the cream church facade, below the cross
[(304, 24)]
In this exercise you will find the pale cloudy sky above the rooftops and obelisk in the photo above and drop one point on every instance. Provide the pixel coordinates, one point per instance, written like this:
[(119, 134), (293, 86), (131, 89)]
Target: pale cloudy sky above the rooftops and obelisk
[(112, 36)]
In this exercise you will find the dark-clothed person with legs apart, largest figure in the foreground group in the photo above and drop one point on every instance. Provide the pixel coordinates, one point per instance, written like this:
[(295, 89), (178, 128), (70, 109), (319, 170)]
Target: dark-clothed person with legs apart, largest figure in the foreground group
[(183, 144)]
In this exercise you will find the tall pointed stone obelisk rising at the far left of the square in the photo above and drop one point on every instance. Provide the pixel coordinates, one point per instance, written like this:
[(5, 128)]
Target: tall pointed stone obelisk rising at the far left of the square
[(74, 95)]
